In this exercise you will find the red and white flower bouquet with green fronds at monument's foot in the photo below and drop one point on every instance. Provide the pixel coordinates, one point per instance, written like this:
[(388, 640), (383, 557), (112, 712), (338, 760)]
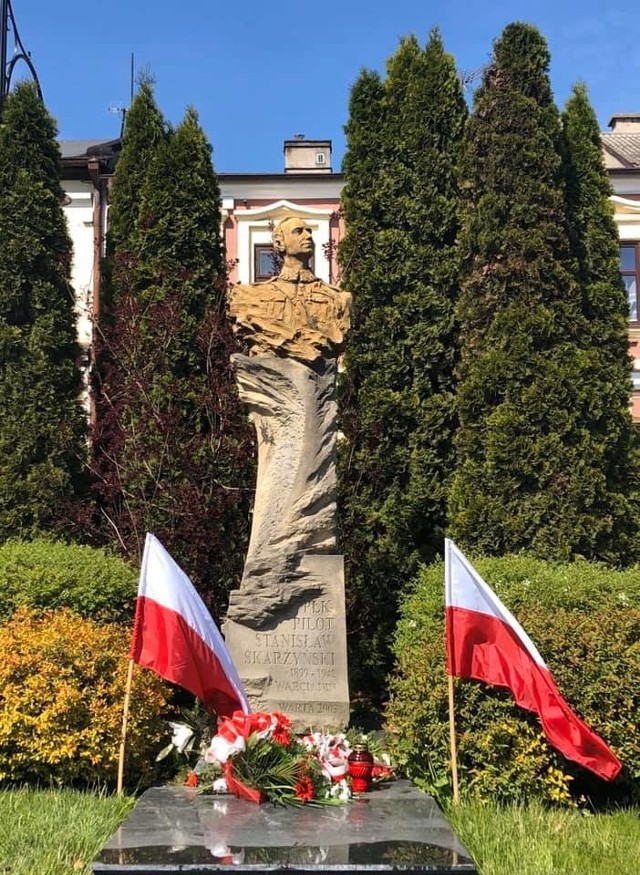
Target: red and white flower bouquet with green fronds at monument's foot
[(261, 760)]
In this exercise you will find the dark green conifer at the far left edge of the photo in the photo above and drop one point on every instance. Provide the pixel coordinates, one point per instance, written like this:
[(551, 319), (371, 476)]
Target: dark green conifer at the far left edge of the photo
[(42, 433)]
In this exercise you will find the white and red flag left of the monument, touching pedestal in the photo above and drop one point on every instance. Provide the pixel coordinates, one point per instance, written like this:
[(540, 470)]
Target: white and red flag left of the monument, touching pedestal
[(175, 636)]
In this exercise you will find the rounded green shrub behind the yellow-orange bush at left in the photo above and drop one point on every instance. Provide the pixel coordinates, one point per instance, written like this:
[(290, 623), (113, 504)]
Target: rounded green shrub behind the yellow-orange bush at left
[(51, 574)]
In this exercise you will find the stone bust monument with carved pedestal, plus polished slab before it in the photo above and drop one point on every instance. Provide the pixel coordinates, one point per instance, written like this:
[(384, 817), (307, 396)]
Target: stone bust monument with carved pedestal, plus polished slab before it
[(286, 623)]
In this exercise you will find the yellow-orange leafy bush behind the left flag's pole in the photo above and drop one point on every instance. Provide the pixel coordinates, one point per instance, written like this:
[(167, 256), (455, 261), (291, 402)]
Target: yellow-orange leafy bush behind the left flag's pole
[(62, 685)]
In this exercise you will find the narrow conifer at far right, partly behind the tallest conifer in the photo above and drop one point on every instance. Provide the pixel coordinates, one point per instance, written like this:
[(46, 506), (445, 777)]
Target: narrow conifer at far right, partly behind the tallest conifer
[(605, 306)]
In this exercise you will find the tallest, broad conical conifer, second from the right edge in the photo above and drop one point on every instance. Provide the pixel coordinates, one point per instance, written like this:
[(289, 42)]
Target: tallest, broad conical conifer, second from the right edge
[(529, 474)]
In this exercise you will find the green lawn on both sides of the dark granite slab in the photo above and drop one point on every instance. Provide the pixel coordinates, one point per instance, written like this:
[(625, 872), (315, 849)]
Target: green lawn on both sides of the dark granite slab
[(59, 832)]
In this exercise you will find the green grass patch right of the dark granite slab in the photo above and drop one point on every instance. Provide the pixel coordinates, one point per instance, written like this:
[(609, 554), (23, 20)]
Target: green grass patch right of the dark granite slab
[(533, 840)]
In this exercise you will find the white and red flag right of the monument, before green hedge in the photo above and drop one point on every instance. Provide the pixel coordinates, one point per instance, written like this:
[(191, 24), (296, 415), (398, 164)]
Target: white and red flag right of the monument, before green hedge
[(486, 643)]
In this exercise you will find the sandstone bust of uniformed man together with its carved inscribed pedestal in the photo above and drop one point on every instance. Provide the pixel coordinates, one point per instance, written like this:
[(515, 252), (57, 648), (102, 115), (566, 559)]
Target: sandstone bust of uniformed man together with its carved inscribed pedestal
[(285, 627)]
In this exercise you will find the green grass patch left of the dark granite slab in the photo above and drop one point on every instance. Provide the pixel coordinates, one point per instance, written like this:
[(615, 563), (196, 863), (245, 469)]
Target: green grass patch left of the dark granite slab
[(55, 832)]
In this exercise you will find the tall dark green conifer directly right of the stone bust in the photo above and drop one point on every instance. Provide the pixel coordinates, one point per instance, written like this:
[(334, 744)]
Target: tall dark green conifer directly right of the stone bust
[(398, 258)]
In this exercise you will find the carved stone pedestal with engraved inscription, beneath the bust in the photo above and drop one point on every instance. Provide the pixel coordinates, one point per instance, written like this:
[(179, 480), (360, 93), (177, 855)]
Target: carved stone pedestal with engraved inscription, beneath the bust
[(285, 627)]
